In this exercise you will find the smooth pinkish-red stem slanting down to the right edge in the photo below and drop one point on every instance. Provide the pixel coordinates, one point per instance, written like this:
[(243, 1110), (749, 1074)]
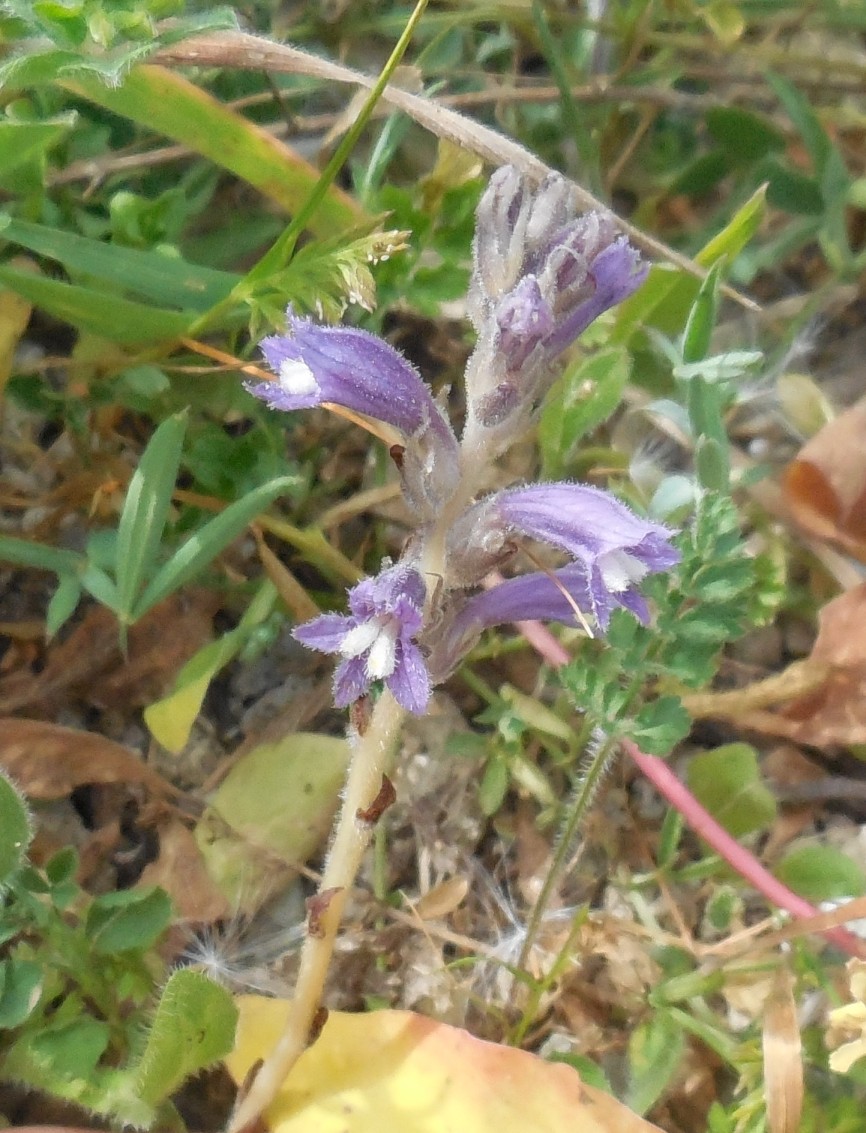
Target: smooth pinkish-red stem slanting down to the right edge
[(700, 820)]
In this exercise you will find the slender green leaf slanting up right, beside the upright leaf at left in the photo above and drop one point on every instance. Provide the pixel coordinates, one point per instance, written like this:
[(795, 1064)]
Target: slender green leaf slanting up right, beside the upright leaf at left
[(206, 544)]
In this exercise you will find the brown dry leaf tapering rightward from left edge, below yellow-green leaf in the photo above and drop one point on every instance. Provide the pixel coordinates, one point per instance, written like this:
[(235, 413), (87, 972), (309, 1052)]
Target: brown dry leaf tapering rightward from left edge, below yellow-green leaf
[(49, 762)]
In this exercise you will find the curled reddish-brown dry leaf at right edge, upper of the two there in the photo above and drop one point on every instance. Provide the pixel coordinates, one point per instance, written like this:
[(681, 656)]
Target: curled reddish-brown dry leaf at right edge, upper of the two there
[(826, 487)]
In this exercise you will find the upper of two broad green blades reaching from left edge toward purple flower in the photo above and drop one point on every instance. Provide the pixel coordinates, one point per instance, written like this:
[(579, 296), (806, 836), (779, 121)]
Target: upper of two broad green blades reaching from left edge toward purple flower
[(166, 280)]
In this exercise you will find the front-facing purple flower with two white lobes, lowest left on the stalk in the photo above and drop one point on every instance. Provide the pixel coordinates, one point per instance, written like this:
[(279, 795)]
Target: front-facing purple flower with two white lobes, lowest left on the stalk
[(377, 640)]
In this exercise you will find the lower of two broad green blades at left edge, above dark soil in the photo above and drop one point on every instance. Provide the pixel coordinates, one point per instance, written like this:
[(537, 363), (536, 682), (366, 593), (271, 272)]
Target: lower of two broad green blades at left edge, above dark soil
[(108, 316)]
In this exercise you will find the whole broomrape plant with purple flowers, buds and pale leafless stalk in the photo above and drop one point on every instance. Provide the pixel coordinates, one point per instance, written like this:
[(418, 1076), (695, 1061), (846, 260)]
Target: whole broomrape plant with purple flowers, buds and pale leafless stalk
[(541, 276)]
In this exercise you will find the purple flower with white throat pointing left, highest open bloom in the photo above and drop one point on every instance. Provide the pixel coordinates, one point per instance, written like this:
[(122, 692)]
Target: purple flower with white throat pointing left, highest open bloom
[(349, 368)]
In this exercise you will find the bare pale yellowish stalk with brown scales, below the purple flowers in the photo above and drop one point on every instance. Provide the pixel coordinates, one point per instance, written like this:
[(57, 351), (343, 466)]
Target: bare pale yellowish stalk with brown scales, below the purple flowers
[(372, 757)]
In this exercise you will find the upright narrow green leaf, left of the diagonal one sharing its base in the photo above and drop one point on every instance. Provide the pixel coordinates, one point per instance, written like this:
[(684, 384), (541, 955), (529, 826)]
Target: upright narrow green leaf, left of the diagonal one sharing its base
[(146, 512)]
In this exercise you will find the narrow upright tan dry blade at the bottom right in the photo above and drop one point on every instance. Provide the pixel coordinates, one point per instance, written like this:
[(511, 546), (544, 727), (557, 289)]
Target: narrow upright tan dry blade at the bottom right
[(783, 1058)]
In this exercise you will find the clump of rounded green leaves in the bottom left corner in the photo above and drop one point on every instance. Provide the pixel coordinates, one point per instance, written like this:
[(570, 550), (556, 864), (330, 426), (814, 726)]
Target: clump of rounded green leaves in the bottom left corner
[(79, 976)]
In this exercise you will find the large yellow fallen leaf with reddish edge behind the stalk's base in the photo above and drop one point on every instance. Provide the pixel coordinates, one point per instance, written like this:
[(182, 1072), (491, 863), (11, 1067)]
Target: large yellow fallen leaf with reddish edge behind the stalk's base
[(397, 1072)]
